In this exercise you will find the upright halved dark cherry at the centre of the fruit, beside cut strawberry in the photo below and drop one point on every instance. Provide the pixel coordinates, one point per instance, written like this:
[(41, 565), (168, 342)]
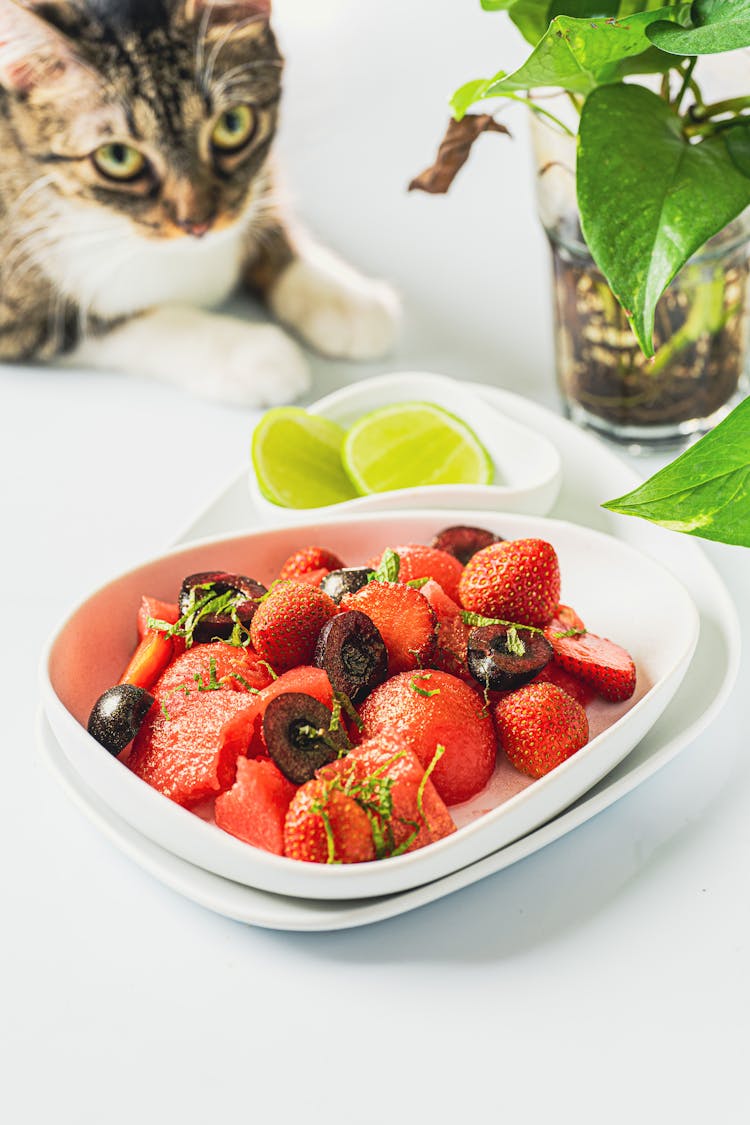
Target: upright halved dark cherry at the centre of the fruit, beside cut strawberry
[(354, 654)]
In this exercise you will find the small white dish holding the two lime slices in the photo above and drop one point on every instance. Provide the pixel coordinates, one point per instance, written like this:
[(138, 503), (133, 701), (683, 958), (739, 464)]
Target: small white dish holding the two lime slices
[(527, 464)]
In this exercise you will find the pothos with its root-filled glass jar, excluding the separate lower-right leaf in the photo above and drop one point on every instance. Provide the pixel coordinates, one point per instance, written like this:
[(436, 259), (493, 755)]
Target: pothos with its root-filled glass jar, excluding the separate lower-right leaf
[(644, 186)]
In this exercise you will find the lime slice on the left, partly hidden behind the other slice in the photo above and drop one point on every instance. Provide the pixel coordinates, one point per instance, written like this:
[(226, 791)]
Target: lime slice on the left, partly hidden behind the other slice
[(297, 460)]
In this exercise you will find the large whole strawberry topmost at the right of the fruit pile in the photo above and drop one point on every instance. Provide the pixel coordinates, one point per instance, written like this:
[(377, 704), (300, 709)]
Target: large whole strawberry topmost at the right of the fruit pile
[(516, 581)]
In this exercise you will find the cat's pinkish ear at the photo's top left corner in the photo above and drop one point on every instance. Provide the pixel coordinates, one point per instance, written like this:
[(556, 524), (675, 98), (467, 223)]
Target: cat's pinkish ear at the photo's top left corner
[(33, 53)]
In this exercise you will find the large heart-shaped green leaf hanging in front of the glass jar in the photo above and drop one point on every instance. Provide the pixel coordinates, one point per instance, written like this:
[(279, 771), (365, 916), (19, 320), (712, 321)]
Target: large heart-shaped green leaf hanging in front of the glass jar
[(648, 199)]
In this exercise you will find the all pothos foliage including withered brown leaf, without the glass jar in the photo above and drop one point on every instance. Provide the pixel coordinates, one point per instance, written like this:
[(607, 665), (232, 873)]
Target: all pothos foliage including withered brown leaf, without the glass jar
[(658, 176)]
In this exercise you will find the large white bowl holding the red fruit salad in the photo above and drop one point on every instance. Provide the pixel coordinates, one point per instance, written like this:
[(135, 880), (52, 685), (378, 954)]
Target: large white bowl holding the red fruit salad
[(619, 592)]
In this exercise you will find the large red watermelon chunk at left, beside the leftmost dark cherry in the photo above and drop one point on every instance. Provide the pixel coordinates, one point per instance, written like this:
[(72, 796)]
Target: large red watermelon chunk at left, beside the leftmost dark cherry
[(189, 745)]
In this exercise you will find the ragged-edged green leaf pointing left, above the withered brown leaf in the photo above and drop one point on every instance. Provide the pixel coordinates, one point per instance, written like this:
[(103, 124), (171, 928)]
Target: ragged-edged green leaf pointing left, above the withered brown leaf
[(580, 55)]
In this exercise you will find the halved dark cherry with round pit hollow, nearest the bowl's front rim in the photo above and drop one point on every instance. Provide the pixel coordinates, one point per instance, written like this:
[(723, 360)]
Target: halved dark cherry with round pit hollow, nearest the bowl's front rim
[(299, 736)]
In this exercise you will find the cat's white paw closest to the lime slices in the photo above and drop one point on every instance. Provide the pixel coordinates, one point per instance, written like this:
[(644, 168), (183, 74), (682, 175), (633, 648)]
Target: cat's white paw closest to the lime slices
[(251, 365)]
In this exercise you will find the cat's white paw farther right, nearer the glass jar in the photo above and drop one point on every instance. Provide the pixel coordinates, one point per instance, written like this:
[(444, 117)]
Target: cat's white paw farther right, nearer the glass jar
[(336, 310)]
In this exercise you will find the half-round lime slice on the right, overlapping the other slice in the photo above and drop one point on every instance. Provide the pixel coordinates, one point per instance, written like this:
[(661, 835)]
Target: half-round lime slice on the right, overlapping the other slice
[(411, 445)]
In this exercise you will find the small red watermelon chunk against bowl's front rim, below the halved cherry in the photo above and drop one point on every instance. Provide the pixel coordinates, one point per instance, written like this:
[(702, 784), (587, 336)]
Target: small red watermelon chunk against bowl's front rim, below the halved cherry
[(256, 808)]
